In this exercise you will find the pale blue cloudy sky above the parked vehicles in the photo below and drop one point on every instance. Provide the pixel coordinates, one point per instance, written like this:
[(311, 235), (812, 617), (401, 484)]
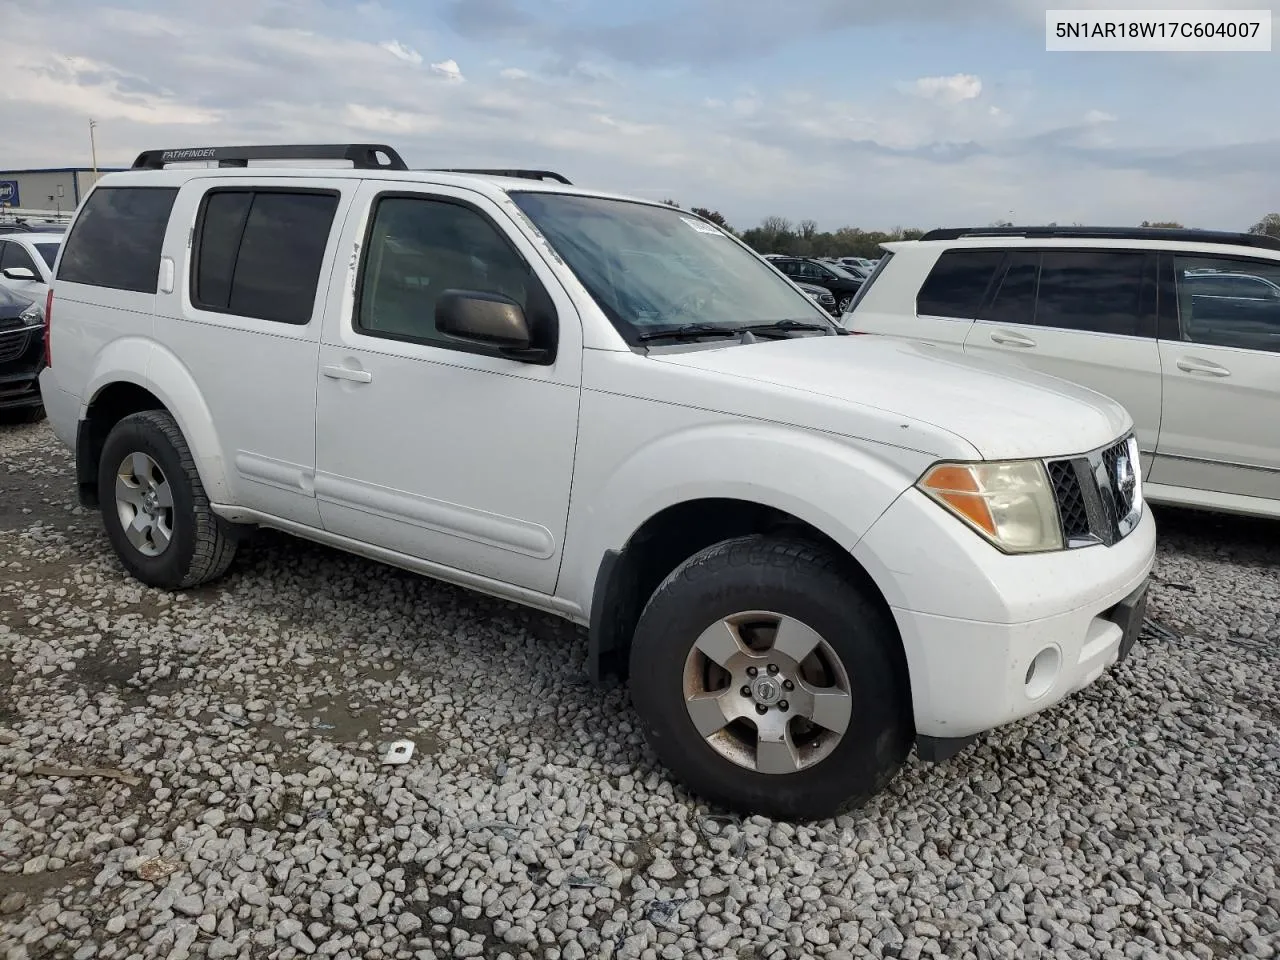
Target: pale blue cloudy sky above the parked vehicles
[(866, 113)]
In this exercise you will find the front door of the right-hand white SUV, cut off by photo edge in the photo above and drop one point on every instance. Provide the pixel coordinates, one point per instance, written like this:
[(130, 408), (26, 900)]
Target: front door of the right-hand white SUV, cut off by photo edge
[(1220, 345)]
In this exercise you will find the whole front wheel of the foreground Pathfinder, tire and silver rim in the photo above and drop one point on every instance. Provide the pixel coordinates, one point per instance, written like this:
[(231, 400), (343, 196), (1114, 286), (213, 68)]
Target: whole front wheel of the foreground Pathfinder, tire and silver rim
[(803, 586)]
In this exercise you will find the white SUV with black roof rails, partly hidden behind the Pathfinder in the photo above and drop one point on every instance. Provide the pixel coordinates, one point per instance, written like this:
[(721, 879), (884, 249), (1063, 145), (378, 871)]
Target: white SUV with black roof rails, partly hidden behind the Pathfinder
[(1181, 327)]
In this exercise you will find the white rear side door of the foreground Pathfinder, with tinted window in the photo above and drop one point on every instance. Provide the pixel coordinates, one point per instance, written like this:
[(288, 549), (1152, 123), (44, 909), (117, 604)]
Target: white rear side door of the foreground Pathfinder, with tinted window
[(239, 304)]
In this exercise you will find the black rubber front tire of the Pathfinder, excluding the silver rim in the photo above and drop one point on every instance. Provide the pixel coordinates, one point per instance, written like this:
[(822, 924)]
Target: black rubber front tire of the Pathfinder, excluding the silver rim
[(880, 730)]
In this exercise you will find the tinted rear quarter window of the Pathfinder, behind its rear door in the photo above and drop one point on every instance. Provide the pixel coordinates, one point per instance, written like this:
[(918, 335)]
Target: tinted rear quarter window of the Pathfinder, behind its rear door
[(117, 239)]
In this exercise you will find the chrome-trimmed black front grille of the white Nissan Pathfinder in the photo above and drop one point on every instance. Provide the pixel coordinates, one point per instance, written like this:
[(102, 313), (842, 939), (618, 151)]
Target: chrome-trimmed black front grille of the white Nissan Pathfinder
[(1096, 496)]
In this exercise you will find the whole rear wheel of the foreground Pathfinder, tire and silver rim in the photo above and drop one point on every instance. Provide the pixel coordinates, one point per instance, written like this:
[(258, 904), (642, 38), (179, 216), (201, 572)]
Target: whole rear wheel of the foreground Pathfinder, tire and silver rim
[(199, 546)]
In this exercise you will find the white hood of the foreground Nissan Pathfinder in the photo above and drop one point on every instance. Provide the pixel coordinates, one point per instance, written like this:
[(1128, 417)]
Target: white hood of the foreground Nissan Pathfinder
[(1005, 413)]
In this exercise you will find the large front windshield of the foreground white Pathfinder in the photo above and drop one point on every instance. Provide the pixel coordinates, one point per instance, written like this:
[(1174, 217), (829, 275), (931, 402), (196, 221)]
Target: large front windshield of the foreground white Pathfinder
[(655, 268)]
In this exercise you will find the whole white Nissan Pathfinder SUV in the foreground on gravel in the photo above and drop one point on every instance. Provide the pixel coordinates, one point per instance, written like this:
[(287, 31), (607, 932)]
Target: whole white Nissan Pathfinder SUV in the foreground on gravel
[(807, 551)]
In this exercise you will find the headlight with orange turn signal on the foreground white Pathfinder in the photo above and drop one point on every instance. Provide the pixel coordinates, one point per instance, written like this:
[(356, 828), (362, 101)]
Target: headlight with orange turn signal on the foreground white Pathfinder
[(1011, 504)]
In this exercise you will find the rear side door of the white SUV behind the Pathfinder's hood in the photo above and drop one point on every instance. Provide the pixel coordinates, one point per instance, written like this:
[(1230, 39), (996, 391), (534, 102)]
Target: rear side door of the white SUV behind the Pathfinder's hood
[(1084, 316)]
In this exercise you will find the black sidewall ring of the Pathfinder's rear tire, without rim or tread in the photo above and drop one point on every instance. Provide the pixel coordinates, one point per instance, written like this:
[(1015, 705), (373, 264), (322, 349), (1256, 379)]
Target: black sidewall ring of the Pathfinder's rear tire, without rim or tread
[(139, 435)]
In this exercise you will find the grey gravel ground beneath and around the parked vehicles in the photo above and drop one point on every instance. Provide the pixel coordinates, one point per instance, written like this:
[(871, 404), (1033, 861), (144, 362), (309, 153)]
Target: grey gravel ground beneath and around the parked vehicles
[(1141, 820)]
